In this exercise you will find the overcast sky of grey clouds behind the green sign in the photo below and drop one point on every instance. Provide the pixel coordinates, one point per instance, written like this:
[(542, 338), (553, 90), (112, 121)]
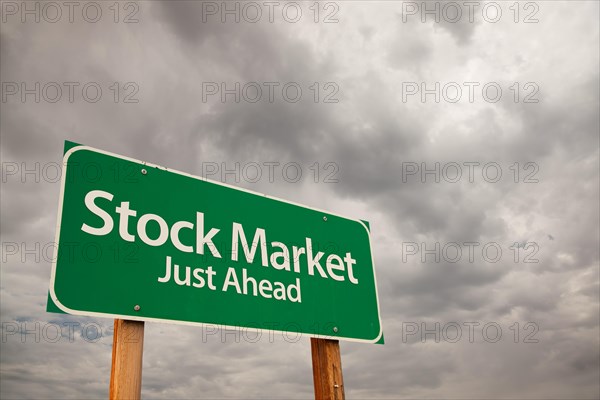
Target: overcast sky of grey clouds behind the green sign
[(480, 126)]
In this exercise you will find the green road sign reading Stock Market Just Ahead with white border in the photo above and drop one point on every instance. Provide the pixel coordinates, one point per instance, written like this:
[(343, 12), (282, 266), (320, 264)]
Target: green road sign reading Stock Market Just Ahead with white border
[(141, 242)]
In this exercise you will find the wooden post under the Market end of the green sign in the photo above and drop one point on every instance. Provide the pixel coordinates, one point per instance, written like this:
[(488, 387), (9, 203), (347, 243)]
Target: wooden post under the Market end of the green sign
[(327, 369)]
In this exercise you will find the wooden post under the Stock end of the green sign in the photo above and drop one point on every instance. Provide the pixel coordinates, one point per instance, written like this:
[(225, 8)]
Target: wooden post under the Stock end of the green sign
[(126, 371)]
